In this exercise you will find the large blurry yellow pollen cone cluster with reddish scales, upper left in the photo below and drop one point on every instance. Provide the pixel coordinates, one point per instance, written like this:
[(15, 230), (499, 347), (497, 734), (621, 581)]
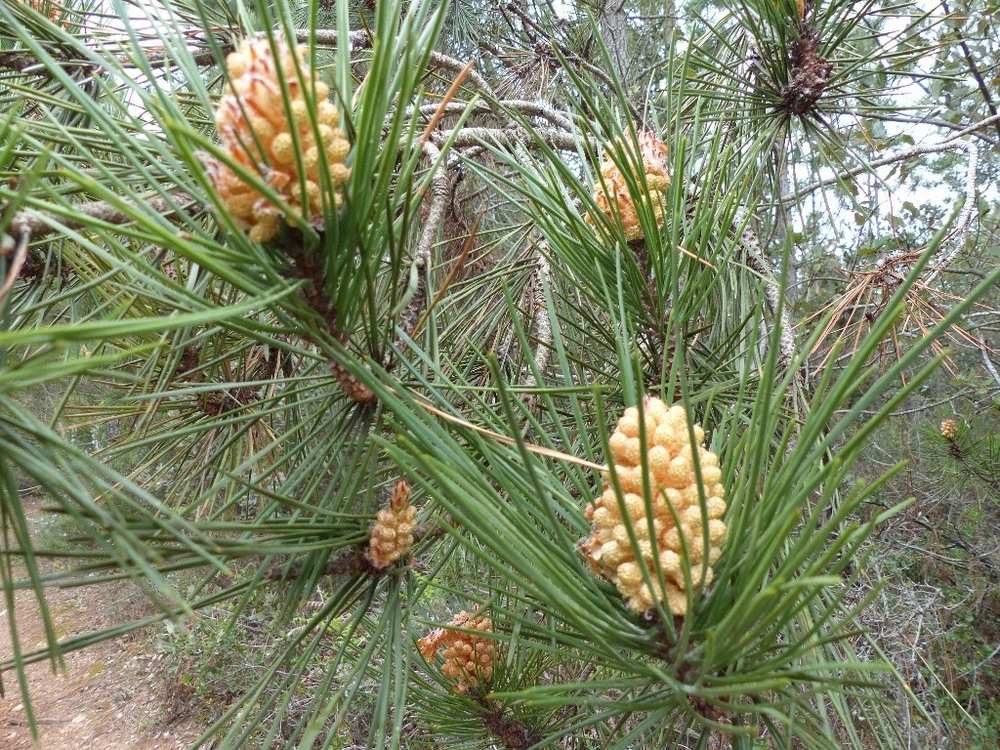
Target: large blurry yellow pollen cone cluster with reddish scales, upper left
[(276, 140)]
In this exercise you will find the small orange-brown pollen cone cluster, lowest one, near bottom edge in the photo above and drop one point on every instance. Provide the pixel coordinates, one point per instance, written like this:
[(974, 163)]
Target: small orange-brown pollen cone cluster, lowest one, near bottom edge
[(467, 658)]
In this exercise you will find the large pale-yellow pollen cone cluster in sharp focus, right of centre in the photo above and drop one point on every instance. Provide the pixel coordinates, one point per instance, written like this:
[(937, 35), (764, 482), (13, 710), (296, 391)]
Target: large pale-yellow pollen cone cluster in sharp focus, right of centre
[(674, 487)]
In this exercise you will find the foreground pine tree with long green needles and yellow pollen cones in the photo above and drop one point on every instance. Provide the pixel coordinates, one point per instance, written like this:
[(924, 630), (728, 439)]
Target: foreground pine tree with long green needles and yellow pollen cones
[(461, 317)]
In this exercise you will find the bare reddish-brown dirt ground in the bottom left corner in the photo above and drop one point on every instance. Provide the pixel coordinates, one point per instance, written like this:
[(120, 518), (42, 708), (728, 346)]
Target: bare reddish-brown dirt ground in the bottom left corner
[(108, 696)]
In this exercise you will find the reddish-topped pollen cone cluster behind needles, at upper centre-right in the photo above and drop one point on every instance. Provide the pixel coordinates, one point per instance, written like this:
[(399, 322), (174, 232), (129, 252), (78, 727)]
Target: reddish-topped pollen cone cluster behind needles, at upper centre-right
[(612, 196)]
